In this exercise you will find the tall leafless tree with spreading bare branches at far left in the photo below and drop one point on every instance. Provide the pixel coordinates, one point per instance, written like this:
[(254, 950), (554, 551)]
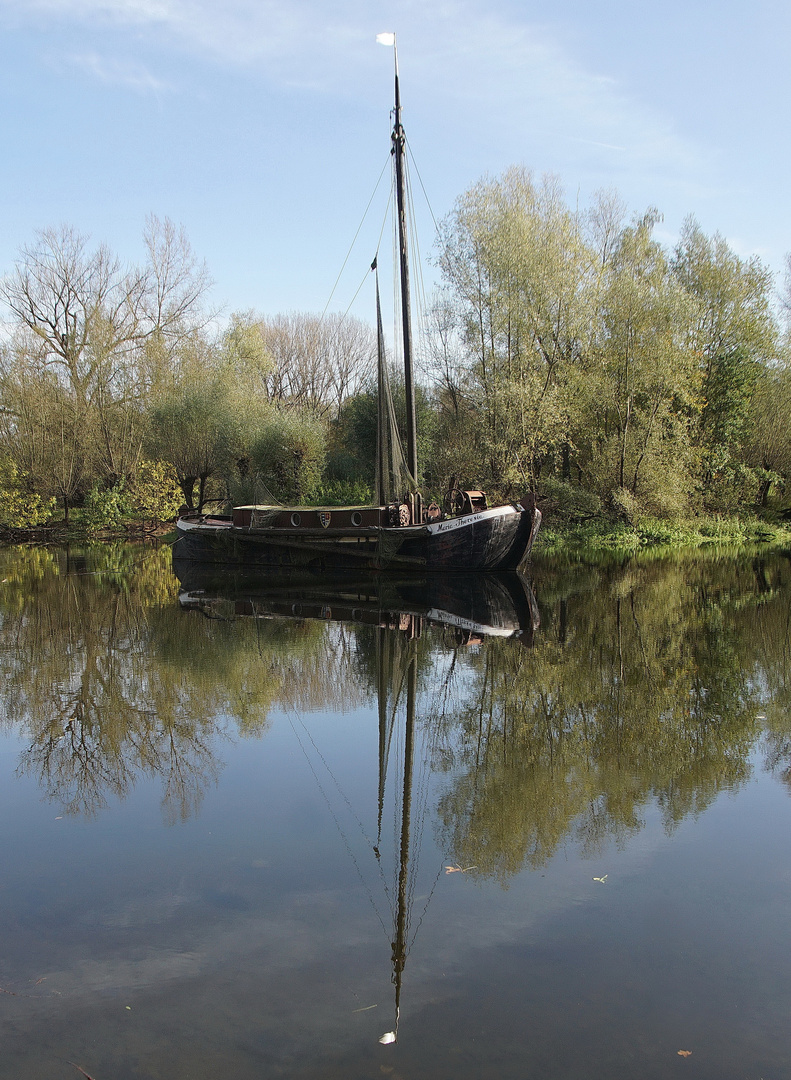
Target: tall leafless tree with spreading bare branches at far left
[(100, 333)]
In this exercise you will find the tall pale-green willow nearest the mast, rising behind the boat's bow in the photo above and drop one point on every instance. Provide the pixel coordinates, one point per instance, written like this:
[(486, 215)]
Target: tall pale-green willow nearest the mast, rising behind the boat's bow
[(524, 282)]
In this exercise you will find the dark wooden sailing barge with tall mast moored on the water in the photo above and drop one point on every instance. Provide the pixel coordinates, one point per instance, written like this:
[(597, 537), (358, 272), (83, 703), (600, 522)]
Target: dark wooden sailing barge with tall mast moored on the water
[(466, 535)]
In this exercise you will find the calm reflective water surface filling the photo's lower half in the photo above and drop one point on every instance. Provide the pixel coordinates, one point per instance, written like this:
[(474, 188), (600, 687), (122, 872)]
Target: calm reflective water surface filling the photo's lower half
[(226, 823)]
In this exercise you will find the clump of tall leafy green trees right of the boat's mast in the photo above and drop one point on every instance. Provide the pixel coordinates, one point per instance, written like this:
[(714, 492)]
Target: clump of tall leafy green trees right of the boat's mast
[(580, 337)]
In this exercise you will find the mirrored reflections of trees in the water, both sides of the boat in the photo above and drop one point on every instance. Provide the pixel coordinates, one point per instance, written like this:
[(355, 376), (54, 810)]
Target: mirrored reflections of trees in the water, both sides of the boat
[(648, 684)]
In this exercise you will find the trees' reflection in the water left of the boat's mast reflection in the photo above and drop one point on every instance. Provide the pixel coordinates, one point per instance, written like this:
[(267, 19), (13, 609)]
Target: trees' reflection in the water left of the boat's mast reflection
[(110, 683)]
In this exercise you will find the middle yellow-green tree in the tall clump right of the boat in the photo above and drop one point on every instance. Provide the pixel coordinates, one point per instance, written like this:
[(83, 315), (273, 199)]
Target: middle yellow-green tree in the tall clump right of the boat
[(641, 381)]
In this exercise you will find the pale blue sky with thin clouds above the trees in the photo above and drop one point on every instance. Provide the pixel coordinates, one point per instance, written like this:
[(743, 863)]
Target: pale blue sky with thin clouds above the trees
[(262, 126)]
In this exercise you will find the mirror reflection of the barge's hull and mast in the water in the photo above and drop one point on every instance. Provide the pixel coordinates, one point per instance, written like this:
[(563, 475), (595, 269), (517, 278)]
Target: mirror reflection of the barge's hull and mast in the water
[(473, 606)]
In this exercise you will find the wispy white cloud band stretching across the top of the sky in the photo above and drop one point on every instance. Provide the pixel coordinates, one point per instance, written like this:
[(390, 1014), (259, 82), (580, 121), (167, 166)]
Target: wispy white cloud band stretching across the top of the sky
[(515, 78)]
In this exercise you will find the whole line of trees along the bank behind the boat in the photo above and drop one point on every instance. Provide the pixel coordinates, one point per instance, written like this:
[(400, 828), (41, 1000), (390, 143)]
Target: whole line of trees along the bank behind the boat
[(568, 352)]
